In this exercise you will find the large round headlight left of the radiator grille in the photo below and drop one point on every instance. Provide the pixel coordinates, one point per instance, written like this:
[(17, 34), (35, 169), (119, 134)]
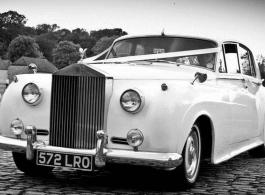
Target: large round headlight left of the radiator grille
[(31, 94)]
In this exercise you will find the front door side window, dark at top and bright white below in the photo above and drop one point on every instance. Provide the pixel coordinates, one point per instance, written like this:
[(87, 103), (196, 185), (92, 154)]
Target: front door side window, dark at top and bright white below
[(231, 58)]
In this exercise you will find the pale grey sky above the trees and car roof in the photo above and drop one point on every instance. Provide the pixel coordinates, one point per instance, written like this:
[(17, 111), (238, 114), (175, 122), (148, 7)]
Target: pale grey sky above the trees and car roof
[(241, 20)]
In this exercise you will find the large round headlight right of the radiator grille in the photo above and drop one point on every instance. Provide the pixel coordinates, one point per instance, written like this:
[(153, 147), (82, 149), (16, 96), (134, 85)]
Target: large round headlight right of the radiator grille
[(132, 101)]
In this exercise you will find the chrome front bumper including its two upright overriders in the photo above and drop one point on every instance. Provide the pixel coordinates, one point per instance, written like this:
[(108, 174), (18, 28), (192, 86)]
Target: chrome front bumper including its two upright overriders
[(100, 154)]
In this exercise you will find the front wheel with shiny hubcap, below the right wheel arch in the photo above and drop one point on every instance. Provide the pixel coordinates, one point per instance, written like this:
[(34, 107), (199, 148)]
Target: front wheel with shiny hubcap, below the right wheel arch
[(191, 154)]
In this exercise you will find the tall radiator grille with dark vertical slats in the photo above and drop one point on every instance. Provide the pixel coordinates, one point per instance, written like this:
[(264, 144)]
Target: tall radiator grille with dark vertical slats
[(77, 110)]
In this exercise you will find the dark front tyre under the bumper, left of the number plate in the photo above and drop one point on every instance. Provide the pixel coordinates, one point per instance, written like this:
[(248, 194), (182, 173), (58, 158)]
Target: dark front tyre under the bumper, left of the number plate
[(29, 166)]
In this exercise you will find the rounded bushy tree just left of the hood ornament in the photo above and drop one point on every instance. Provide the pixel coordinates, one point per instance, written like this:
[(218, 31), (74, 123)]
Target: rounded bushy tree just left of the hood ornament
[(65, 53)]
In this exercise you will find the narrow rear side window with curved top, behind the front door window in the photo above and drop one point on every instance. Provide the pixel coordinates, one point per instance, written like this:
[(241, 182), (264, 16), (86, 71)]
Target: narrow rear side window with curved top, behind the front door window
[(245, 61)]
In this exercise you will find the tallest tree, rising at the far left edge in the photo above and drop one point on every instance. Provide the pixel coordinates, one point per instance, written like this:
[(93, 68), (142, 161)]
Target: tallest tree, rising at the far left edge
[(11, 24)]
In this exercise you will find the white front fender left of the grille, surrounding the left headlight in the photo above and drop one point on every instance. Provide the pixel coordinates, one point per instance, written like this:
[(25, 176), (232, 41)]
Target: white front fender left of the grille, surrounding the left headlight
[(13, 106)]
